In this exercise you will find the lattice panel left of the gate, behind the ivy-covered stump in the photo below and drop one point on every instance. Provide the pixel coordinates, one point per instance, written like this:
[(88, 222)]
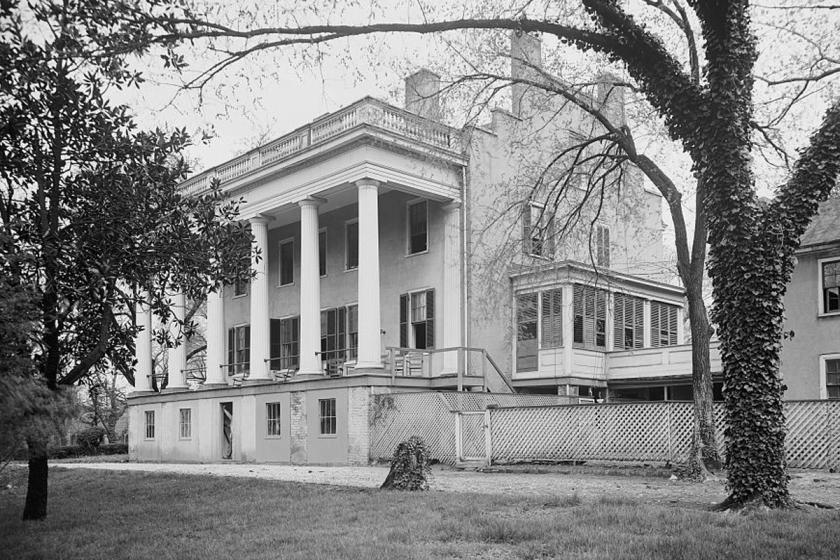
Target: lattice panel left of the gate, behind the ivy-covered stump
[(422, 414)]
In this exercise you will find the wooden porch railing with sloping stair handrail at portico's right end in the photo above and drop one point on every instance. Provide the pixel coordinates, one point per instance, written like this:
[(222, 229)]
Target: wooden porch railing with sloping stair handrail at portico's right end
[(460, 361)]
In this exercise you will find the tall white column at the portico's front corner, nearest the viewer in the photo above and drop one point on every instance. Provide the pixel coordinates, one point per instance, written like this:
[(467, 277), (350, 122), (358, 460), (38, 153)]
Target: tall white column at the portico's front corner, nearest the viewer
[(370, 352)]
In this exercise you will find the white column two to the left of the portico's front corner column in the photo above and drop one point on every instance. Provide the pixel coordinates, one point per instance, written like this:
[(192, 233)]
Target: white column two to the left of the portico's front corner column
[(260, 323)]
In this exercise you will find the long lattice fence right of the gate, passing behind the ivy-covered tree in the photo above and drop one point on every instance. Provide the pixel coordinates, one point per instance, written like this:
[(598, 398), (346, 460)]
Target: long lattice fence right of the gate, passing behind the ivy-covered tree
[(647, 432)]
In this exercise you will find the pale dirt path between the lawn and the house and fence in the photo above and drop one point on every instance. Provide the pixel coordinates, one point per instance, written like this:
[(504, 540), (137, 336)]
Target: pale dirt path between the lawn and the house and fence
[(807, 486)]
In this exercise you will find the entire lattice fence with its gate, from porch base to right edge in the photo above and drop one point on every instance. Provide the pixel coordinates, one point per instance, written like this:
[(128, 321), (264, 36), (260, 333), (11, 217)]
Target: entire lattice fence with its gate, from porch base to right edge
[(536, 428)]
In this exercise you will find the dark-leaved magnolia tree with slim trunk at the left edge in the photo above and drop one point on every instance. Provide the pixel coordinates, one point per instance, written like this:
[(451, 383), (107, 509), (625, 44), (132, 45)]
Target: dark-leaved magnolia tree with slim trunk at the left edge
[(92, 221)]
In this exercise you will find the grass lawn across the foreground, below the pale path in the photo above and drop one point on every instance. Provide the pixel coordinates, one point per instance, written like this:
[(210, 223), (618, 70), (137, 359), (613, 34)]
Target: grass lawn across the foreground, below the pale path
[(113, 515)]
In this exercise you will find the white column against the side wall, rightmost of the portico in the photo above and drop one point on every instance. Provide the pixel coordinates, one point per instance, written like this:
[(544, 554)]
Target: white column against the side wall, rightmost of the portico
[(451, 310)]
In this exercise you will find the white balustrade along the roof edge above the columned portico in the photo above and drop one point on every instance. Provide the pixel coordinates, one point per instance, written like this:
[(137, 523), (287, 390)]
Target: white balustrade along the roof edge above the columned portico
[(366, 112)]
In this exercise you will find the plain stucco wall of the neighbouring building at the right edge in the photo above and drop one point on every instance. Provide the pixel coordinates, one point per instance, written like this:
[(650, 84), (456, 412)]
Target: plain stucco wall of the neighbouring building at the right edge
[(813, 335)]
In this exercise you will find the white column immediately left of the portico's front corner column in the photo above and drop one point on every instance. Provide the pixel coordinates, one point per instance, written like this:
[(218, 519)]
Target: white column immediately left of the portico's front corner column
[(310, 289)]
